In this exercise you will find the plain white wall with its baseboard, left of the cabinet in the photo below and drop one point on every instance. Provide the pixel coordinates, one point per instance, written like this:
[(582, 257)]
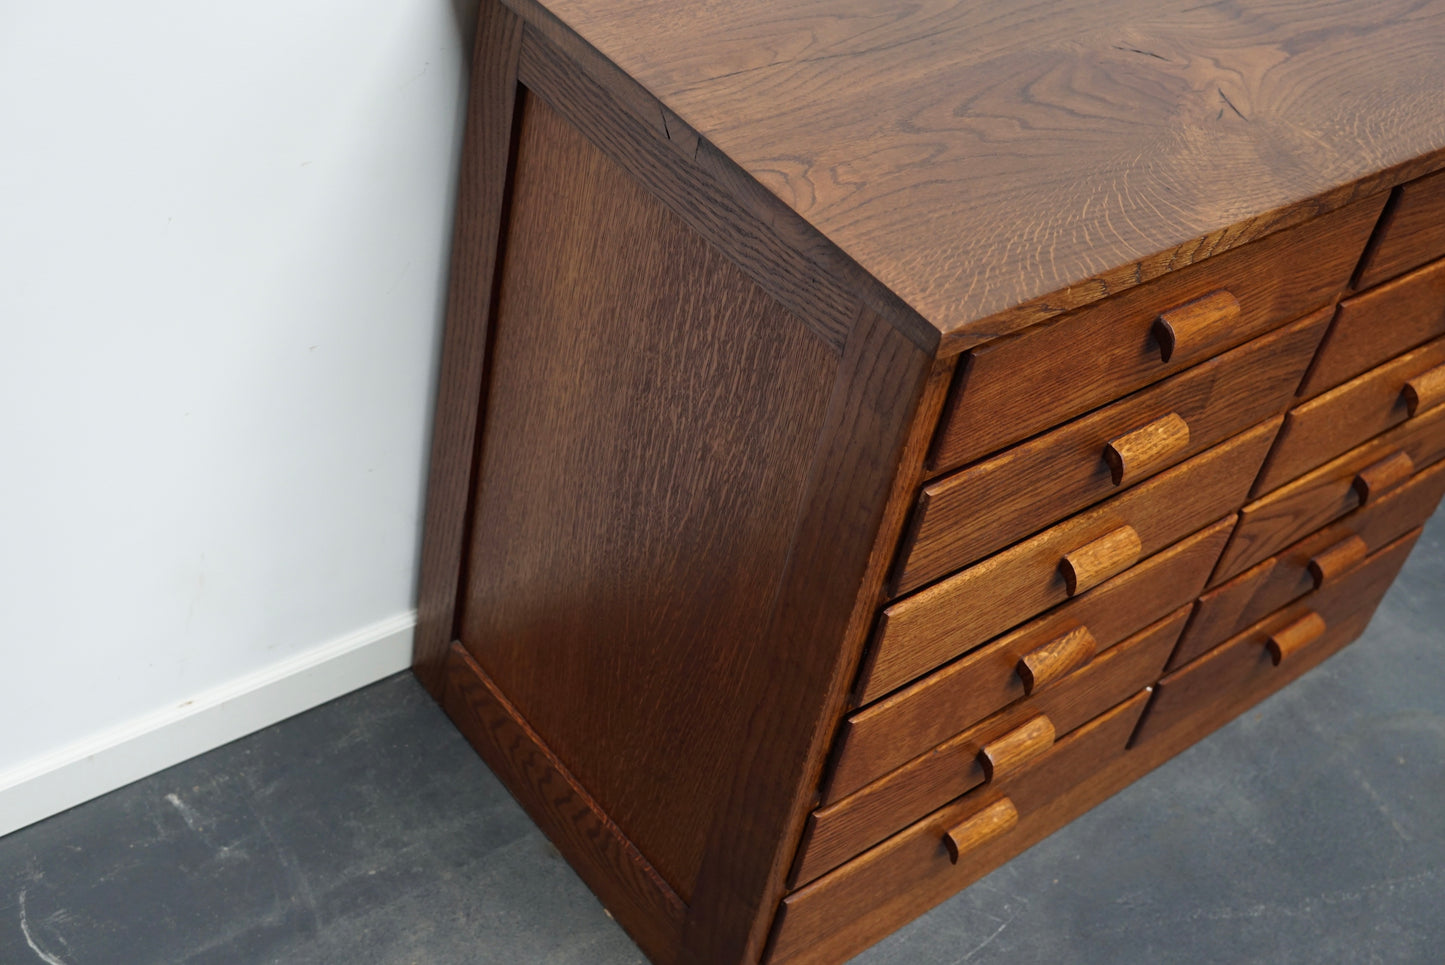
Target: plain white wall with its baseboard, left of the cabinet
[(223, 238)]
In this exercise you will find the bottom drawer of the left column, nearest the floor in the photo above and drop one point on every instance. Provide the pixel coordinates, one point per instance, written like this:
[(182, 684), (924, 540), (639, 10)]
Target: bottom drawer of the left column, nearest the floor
[(845, 912)]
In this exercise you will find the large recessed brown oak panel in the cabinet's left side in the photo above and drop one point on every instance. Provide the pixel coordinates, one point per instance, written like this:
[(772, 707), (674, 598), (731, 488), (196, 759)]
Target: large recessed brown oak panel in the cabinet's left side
[(648, 436)]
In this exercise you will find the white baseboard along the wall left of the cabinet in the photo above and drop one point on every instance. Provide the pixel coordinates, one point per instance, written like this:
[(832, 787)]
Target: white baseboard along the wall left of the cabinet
[(147, 745)]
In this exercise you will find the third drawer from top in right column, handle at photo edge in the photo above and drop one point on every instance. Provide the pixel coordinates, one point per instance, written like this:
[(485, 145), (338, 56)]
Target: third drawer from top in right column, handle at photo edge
[(1363, 408)]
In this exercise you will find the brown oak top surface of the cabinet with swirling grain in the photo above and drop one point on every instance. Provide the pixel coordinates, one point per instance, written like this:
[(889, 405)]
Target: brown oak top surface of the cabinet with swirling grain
[(978, 158)]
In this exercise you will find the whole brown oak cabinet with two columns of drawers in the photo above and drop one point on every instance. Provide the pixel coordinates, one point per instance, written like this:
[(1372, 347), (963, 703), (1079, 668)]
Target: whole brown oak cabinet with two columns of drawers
[(874, 434)]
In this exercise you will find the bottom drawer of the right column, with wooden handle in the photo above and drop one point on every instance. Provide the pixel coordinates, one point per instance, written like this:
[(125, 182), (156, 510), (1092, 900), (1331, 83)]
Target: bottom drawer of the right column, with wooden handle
[(1321, 623)]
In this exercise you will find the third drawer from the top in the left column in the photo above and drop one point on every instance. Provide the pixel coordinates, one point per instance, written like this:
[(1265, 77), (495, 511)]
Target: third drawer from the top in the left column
[(954, 616)]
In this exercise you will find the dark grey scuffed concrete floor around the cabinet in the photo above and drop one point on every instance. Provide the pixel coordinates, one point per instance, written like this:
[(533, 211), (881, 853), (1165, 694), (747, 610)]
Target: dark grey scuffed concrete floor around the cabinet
[(1311, 830)]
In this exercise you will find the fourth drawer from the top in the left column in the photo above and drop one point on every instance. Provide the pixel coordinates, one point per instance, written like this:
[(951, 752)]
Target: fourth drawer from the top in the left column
[(1043, 651)]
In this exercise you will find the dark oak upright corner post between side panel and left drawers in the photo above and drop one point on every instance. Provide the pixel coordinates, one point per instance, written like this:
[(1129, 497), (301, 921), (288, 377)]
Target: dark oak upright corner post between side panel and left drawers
[(803, 665)]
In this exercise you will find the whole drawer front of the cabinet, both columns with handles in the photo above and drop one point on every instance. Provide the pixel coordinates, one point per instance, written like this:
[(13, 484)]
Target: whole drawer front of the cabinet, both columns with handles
[(1139, 521)]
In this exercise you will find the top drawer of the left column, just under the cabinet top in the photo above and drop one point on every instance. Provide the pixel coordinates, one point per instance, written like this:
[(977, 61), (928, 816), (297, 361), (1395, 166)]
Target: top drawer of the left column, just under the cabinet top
[(1014, 388)]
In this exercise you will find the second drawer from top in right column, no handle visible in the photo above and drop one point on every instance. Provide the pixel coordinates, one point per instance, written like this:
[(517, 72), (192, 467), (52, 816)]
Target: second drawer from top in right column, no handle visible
[(1379, 326)]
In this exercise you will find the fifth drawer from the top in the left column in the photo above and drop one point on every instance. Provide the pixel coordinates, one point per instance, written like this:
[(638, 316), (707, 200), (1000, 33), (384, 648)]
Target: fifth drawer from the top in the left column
[(986, 752)]
